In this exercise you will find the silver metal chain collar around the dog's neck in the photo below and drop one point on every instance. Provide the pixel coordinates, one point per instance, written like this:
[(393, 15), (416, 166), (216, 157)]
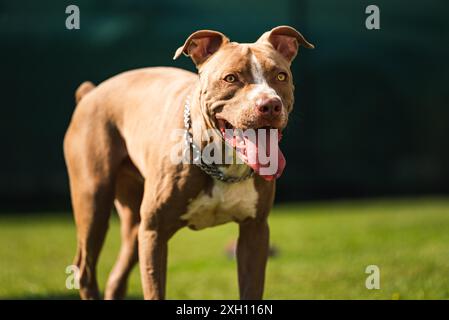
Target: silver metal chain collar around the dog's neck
[(210, 169)]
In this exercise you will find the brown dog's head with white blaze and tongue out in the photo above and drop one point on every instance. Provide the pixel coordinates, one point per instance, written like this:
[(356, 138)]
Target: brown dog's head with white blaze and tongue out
[(246, 86)]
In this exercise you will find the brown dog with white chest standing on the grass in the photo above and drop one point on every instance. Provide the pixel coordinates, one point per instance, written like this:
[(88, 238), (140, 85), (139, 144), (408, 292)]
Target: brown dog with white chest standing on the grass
[(118, 151)]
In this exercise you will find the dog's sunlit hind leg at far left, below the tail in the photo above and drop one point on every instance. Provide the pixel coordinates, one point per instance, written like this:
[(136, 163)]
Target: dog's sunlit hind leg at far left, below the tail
[(93, 155)]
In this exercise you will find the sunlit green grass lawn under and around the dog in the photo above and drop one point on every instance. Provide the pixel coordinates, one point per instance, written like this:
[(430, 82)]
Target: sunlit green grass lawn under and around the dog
[(324, 249)]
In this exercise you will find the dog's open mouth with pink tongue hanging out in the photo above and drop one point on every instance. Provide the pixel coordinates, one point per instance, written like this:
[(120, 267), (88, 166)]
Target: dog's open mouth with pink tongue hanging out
[(258, 148)]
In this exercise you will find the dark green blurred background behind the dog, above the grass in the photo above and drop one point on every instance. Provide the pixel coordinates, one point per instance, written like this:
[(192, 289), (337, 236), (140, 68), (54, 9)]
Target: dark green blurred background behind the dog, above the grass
[(372, 110)]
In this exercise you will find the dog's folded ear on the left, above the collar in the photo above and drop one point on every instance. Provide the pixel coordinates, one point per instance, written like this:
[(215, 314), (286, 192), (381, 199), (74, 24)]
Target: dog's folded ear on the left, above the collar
[(201, 44)]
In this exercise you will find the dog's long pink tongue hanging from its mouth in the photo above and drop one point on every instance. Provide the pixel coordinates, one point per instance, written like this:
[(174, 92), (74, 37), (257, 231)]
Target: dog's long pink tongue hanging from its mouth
[(273, 162)]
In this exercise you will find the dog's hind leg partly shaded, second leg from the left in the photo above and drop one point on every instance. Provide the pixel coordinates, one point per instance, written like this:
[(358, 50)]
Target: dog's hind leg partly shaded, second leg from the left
[(128, 197)]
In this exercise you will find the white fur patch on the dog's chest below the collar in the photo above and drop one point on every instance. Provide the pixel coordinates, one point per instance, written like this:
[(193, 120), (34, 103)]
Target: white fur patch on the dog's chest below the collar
[(226, 202)]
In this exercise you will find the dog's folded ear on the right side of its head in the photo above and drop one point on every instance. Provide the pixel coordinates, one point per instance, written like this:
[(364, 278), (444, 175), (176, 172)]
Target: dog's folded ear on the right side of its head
[(286, 40)]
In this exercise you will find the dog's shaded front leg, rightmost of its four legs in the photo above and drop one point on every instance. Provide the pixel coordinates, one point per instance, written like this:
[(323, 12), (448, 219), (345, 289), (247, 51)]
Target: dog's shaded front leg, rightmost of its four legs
[(252, 254)]
